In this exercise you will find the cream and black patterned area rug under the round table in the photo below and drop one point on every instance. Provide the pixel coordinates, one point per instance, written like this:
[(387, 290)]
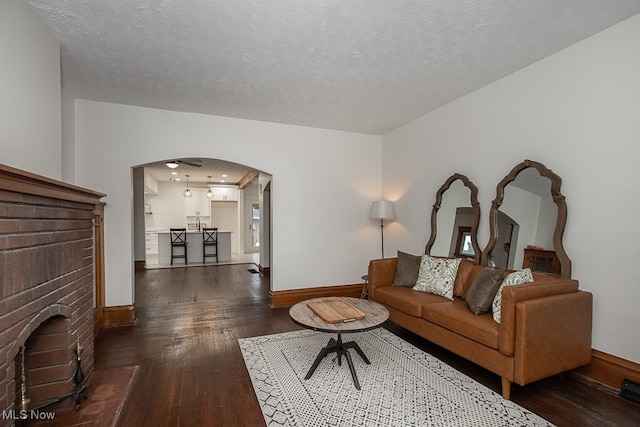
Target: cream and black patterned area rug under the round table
[(403, 386)]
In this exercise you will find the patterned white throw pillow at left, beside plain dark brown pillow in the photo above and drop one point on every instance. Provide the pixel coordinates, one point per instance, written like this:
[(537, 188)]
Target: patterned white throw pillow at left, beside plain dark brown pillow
[(437, 275)]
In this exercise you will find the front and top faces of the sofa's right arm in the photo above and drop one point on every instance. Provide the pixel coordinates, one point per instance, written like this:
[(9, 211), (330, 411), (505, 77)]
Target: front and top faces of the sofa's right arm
[(511, 295)]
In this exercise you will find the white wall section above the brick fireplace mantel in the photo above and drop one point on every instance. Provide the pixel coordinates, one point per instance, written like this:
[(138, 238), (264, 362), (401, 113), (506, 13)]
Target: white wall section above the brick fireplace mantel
[(30, 104)]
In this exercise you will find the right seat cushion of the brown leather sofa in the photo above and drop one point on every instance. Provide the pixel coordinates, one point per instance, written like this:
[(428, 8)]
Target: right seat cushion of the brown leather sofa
[(456, 316)]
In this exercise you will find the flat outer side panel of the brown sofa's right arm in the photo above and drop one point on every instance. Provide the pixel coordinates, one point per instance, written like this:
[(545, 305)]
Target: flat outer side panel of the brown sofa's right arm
[(554, 335)]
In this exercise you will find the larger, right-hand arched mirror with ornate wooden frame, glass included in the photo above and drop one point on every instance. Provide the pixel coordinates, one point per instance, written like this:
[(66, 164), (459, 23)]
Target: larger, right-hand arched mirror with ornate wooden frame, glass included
[(527, 221)]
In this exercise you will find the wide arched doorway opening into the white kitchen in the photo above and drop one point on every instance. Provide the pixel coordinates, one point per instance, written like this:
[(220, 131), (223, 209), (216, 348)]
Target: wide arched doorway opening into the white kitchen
[(221, 194)]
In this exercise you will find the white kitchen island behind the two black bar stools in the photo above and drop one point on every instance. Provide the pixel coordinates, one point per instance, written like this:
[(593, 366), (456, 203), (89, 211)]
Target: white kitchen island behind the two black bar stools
[(194, 248)]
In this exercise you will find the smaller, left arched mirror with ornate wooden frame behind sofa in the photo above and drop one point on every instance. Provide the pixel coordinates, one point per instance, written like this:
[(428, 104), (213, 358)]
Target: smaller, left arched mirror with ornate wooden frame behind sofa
[(454, 220)]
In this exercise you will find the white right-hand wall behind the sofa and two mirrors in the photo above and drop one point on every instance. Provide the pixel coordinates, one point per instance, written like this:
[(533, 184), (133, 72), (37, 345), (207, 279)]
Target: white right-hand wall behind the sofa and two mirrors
[(578, 112)]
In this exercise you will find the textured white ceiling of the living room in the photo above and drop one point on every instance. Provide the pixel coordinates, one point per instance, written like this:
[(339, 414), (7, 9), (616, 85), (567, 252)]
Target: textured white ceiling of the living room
[(360, 65)]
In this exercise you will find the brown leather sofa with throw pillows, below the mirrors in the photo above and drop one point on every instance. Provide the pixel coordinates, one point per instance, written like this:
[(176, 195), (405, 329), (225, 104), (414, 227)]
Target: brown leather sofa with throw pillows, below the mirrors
[(545, 326)]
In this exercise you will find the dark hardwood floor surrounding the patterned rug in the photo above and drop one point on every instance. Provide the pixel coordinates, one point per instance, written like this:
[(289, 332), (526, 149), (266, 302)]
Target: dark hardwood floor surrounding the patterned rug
[(191, 371)]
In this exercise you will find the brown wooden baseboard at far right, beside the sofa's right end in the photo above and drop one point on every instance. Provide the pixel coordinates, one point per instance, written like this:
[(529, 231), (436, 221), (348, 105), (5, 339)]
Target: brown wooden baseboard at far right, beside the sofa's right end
[(609, 370)]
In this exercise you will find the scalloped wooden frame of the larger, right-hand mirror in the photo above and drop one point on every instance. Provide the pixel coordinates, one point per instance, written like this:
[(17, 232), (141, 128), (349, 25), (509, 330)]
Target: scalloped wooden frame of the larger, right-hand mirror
[(561, 220)]
